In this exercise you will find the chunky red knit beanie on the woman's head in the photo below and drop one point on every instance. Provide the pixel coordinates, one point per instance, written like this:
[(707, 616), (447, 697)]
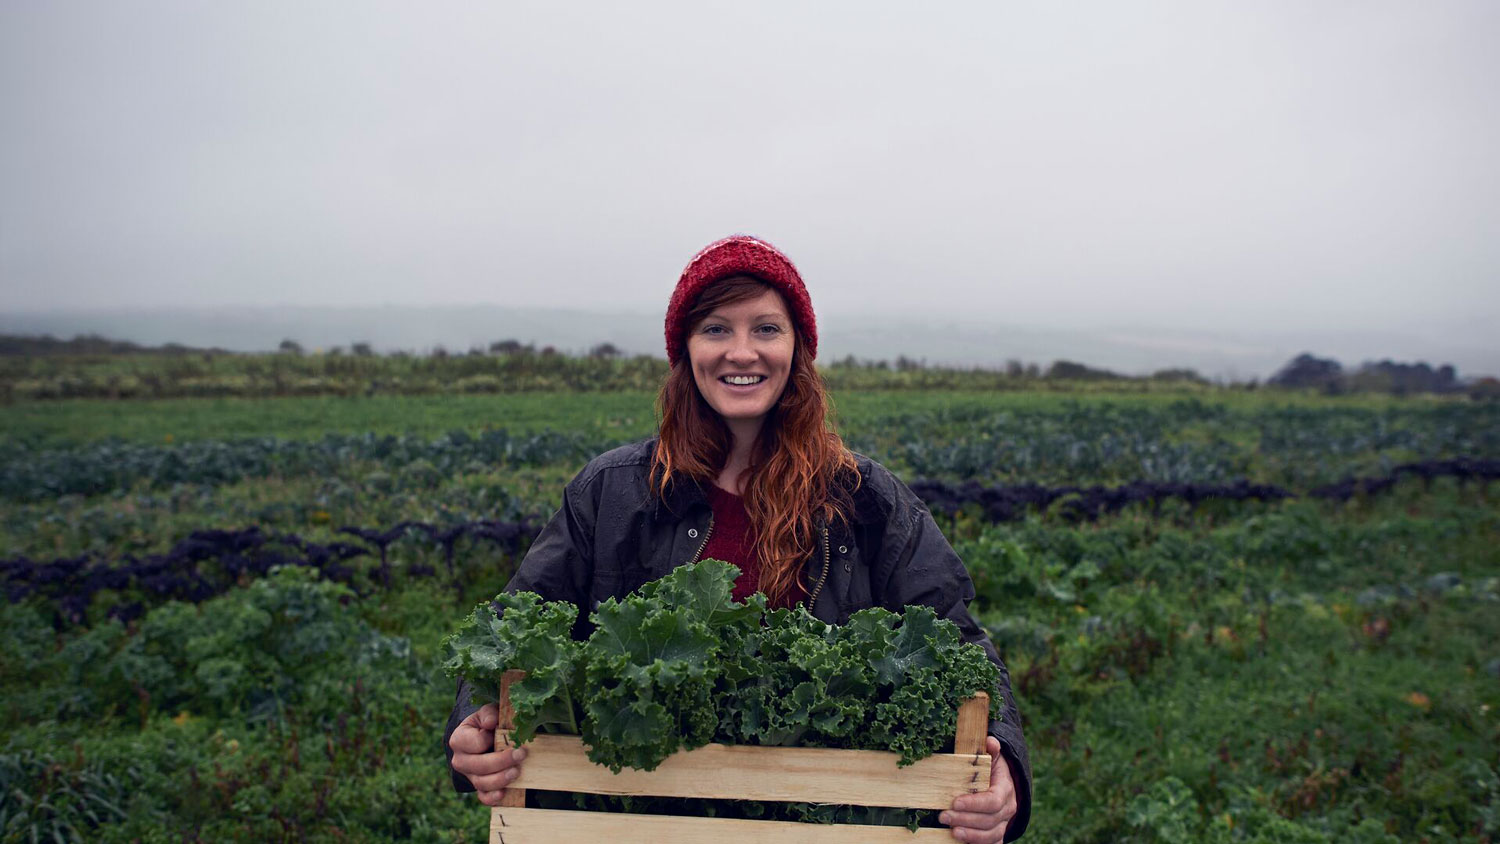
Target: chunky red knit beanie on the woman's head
[(737, 256)]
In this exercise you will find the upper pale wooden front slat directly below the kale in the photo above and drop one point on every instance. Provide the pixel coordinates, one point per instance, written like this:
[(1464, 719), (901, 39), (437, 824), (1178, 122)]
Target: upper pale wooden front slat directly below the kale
[(821, 776)]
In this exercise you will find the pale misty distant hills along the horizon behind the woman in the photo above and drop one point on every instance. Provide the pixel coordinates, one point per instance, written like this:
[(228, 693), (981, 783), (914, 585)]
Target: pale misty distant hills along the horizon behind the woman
[(1129, 350)]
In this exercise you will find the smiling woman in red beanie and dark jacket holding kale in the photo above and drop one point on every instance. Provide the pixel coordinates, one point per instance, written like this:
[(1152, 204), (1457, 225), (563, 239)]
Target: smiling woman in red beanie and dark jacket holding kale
[(746, 470)]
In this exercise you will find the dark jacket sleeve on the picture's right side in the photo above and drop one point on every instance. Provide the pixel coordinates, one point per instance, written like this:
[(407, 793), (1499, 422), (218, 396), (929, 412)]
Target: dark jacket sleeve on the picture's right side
[(919, 567)]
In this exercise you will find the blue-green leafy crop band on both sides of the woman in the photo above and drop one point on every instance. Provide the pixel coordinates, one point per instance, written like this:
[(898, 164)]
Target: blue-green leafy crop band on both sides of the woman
[(1078, 446)]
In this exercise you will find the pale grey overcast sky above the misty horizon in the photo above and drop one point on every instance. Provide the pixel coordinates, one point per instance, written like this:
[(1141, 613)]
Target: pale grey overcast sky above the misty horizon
[(1280, 166)]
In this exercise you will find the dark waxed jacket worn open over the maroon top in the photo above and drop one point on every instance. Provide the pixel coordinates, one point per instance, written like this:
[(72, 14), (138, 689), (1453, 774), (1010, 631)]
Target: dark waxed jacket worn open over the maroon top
[(613, 534)]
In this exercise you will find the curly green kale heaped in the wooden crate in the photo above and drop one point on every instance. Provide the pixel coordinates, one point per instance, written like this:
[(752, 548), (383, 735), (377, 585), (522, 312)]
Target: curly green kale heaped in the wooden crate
[(682, 663)]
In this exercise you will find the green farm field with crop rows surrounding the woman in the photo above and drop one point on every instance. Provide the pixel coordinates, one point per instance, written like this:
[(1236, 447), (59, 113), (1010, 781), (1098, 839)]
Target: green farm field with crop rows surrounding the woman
[(1228, 615)]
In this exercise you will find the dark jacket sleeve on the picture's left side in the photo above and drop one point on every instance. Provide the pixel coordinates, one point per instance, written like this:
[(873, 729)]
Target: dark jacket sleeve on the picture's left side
[(559, 566)]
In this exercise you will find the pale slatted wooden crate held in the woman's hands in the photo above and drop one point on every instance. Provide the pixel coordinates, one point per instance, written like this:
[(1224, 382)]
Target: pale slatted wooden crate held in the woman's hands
[(823, 776)]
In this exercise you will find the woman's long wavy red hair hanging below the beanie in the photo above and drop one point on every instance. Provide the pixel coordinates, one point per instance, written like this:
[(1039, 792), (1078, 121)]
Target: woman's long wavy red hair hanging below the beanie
[(800, 471)]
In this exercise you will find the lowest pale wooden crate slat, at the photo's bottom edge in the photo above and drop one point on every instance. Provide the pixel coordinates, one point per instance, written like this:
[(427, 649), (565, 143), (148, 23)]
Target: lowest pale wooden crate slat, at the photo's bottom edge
[(547, 827)]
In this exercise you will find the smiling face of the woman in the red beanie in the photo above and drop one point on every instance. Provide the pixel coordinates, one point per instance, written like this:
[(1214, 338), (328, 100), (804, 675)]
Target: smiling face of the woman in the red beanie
[(742, 358)]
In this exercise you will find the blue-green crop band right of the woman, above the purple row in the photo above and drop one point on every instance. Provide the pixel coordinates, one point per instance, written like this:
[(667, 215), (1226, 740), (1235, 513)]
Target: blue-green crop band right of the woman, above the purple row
[(1186, 441)]
